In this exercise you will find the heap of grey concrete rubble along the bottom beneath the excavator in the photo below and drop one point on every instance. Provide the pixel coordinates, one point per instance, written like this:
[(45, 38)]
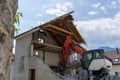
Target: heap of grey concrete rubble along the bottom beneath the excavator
[(83, 76)]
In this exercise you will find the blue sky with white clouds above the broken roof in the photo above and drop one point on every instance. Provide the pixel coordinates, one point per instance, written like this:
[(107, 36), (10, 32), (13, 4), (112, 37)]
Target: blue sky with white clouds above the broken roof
[(97, 20)]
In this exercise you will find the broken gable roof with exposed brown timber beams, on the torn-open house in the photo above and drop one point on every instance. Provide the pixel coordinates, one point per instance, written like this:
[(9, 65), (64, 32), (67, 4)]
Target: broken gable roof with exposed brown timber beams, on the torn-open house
[(58, 29)]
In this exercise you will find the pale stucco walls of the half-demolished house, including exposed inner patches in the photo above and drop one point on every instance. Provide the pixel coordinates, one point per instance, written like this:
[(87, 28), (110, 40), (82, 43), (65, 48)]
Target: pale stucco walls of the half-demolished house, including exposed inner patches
[(32, 62)]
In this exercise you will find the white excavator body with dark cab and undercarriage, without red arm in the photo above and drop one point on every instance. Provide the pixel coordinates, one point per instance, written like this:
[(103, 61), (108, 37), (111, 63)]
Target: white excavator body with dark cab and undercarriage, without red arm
[(97, 65)]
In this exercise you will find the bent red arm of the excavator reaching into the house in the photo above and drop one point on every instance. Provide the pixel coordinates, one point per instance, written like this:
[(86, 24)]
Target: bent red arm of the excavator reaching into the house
[(69, 44)]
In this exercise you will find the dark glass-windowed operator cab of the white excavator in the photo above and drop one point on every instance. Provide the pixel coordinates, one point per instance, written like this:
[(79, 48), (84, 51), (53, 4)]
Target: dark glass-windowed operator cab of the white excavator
[(89, 56)]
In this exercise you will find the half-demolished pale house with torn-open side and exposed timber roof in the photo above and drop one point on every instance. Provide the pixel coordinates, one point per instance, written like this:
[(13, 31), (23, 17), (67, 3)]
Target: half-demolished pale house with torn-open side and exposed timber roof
[(38, 51)]
